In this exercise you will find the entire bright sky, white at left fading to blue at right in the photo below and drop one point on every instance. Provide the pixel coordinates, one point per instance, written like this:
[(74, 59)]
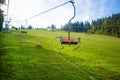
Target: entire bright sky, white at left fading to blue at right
[(86, 10)]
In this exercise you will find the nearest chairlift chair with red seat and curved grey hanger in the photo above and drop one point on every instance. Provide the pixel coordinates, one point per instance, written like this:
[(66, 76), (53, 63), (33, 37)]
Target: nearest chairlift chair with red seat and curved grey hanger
[(69, 40)]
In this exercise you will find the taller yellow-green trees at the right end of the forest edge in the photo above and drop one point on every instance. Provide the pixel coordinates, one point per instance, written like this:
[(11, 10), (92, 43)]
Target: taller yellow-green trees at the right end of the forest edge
[(108, 26)]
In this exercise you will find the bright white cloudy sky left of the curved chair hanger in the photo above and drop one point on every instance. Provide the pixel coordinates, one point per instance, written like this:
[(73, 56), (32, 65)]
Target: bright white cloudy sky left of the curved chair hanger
[(23, 9)]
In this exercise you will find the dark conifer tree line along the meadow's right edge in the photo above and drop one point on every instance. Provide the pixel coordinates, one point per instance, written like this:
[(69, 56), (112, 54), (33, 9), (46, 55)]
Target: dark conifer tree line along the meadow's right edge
[(108, 26)]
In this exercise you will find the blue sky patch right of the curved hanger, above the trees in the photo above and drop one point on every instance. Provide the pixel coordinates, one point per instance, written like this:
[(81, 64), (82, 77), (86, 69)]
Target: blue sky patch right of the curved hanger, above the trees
[(94, 9)]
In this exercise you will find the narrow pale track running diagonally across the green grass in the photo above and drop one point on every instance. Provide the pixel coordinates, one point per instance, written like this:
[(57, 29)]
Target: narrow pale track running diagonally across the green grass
[(77, 67)]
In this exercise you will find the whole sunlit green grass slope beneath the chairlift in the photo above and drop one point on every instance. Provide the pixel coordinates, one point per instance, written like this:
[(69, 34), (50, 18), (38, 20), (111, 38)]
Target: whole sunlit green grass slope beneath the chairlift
[(37, 55)]
